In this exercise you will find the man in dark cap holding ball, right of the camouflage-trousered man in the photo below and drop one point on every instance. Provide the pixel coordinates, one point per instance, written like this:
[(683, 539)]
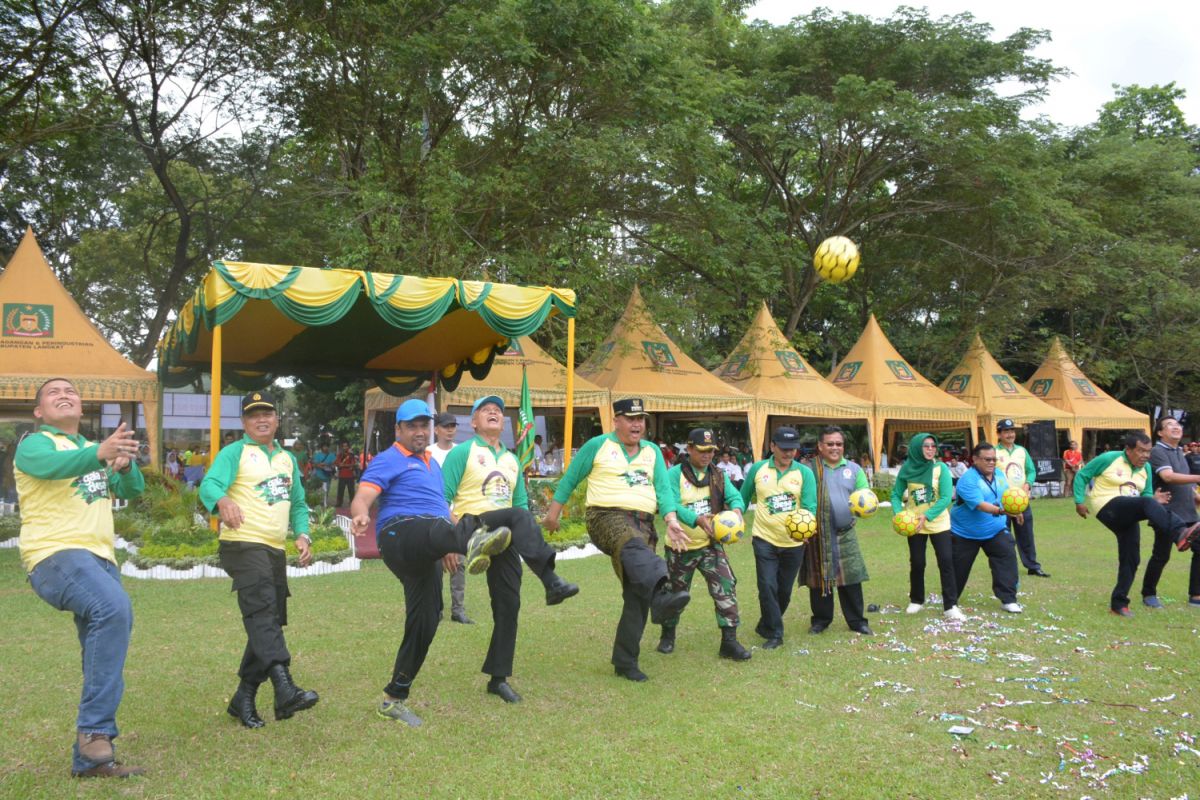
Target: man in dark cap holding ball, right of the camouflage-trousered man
[(778, 486)]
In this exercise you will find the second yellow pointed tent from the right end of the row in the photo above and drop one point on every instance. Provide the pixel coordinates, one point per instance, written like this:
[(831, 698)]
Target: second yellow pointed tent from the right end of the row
[(980, 380)]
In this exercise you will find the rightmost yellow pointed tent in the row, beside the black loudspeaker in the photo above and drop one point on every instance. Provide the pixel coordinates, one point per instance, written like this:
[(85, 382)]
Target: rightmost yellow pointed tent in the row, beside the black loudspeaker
[(1063, 384)]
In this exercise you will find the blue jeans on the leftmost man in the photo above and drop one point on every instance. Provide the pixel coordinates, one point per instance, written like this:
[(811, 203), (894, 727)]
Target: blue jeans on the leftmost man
[(91, 588)]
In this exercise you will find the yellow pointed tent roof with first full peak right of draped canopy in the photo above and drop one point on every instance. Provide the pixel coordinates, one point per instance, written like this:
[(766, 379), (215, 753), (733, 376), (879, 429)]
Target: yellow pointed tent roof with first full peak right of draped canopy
[(639, 360)]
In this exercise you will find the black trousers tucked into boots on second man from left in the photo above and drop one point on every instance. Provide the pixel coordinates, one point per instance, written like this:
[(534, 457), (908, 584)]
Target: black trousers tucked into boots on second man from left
[(261, 580)]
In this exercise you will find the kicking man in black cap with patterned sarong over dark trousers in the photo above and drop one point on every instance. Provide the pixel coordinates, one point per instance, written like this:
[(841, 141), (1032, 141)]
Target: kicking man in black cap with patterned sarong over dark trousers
[(627, 485)]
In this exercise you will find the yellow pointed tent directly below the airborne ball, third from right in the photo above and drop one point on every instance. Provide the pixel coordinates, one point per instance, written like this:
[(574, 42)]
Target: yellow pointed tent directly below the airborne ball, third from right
[(875, 372)]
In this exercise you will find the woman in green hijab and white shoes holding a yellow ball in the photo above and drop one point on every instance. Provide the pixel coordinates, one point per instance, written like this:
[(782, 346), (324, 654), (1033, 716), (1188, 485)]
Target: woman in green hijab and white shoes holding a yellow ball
[(925, 488)]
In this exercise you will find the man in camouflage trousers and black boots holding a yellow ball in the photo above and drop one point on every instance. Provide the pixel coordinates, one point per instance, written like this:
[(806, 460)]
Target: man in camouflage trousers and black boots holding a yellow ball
[(700, 494)]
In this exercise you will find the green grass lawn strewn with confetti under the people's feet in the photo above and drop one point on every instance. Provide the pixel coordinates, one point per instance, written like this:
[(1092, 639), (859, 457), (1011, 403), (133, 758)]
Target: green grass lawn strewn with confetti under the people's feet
[(1059, 697)]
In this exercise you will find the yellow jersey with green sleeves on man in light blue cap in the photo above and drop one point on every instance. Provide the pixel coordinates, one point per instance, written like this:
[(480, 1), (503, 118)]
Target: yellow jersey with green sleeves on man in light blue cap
[(479, 479)]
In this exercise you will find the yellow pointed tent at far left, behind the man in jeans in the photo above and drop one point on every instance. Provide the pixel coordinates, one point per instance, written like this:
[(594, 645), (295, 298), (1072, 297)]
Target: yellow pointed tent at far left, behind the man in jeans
[(46, 335)]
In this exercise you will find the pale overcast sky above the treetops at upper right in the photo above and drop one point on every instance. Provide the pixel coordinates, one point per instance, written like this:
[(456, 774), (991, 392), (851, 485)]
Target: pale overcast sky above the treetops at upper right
[(1102, 44)]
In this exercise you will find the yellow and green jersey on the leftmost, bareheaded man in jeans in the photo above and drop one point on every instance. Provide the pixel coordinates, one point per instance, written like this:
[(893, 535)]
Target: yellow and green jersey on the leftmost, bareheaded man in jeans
[(67, 512)]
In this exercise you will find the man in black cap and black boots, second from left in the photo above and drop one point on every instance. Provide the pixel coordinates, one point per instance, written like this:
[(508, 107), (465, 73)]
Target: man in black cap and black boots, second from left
[(256, 488)]
